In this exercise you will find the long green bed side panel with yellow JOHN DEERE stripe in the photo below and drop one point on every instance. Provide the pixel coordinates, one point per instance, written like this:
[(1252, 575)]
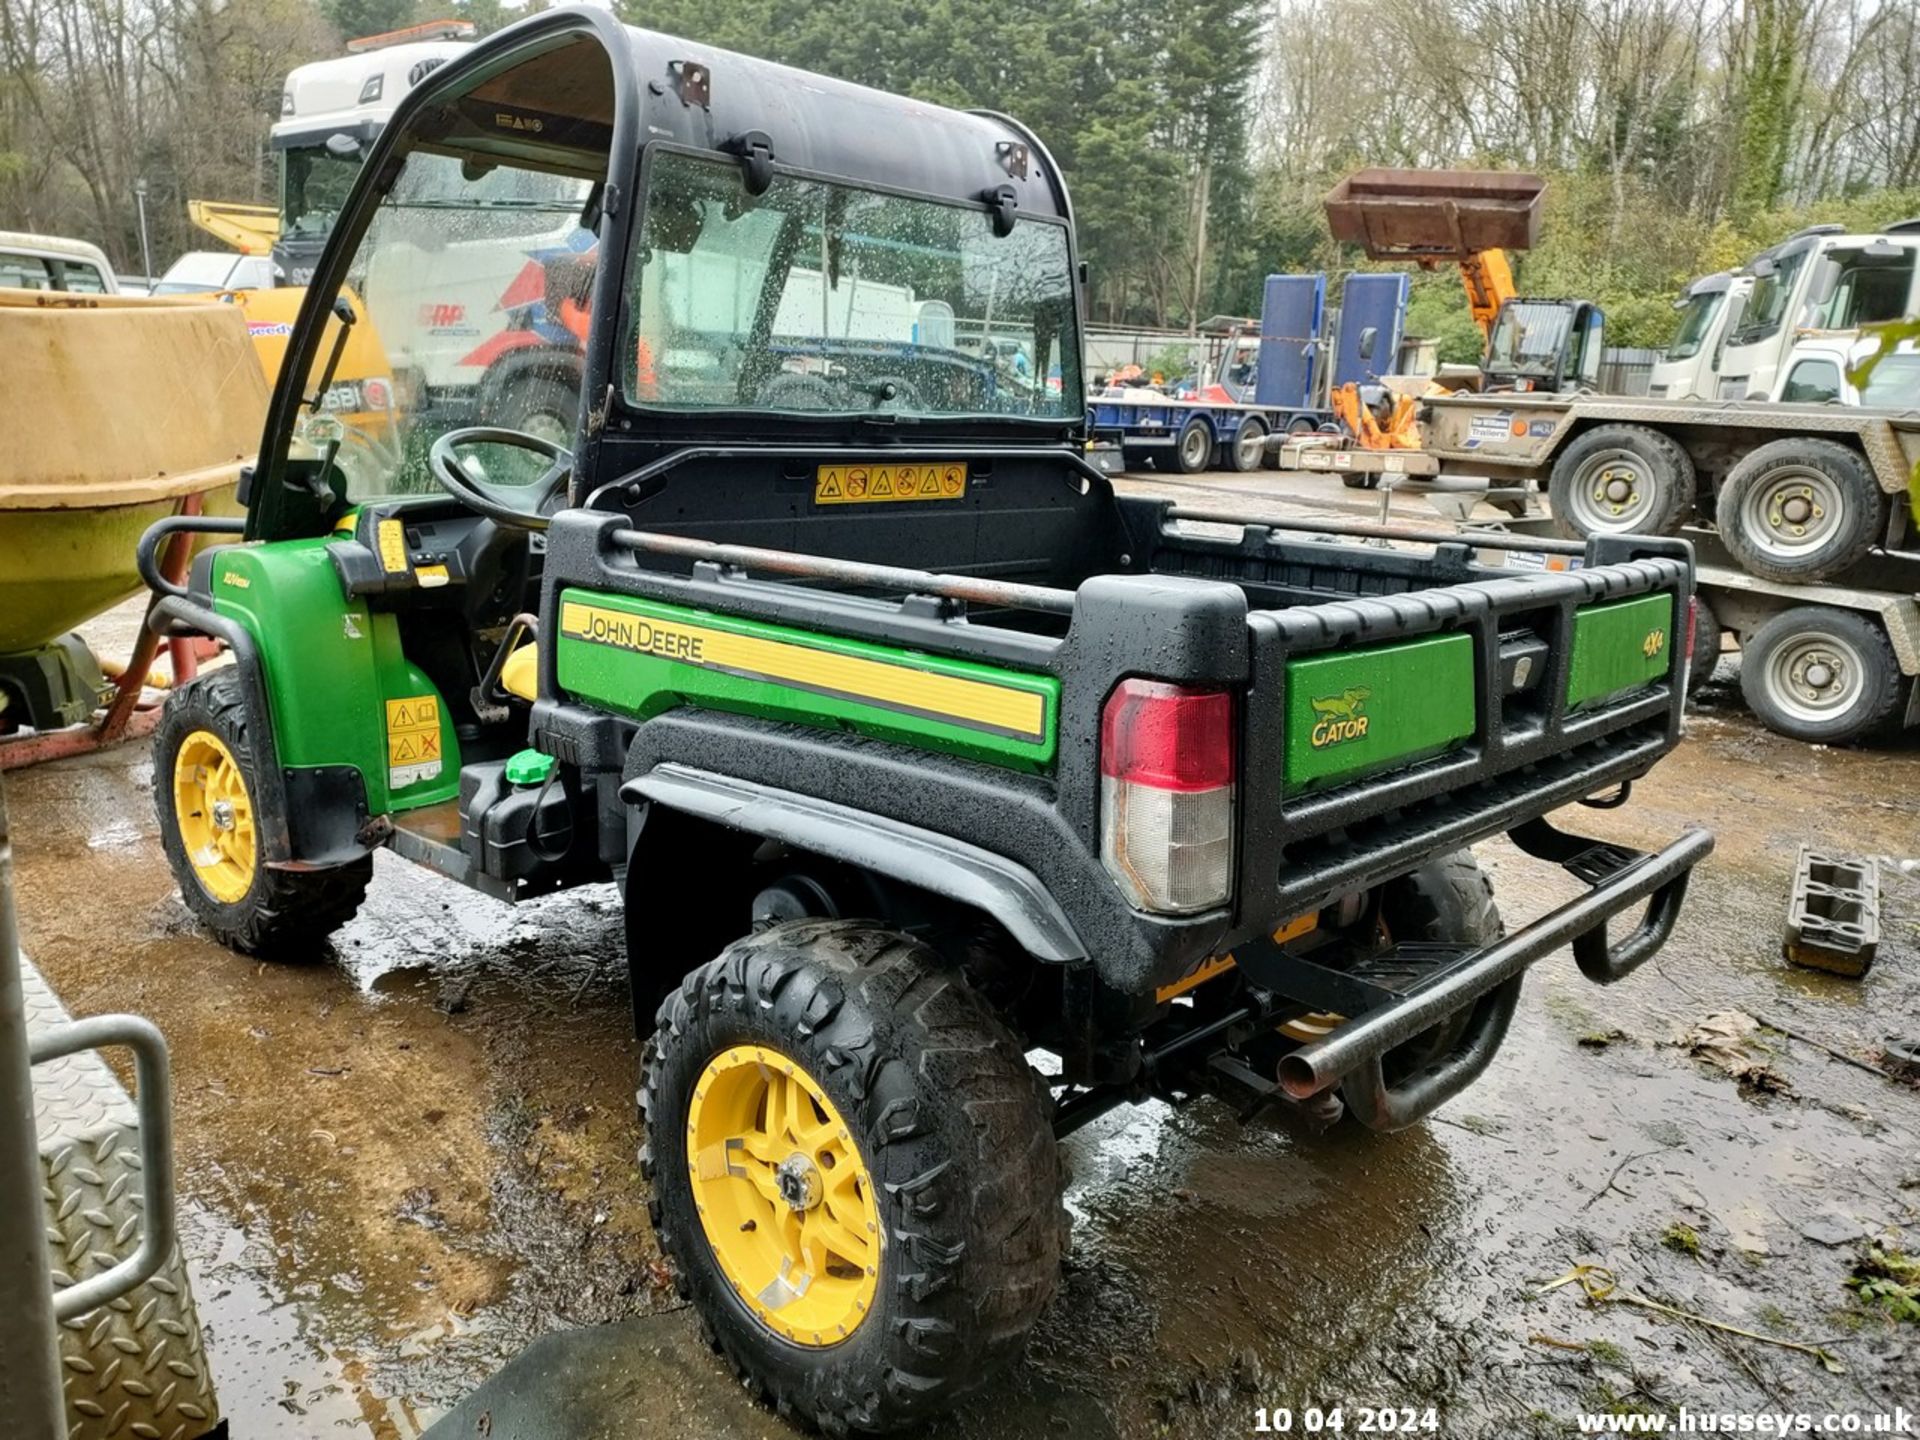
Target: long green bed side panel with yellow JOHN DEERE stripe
[(731, 673)]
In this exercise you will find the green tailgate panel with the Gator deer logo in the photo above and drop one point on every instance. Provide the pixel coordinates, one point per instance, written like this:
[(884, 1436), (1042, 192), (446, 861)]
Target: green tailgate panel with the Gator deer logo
[(1364, 711)]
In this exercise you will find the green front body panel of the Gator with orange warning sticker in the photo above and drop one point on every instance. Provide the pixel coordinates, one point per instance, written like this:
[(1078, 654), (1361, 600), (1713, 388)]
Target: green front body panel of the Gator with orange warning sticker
[(333, 669)]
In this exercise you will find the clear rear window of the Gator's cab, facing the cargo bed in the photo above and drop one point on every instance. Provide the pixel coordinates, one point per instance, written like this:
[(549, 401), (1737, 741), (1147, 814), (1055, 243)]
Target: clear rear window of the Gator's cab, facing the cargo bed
[(832, 300)]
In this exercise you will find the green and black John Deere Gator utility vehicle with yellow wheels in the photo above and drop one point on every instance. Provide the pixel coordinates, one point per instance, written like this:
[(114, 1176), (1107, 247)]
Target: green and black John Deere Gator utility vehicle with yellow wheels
[(915, 750)]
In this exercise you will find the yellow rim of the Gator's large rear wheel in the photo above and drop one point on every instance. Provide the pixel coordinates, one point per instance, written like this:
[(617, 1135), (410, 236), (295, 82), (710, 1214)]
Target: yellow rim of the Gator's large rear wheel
[(784, 1197)]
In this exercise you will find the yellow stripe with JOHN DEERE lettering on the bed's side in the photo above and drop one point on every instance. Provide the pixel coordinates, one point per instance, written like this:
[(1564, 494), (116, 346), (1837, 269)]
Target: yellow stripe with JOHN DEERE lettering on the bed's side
[(1020, 713)]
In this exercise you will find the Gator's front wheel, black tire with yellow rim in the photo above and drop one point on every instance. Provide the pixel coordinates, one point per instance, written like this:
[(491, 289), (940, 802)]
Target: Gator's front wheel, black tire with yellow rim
[(210, 807)]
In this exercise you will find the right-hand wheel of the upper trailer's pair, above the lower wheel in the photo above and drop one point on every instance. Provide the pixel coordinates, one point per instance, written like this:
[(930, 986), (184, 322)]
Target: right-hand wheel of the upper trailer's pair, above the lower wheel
[(1800, 510)]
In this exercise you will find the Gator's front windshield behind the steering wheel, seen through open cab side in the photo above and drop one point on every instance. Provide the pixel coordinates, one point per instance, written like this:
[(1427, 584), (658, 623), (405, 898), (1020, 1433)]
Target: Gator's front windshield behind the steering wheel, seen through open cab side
[(469, 287)]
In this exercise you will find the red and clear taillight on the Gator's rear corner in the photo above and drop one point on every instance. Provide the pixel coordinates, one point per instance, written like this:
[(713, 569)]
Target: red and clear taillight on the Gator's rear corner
[(1166, 796)]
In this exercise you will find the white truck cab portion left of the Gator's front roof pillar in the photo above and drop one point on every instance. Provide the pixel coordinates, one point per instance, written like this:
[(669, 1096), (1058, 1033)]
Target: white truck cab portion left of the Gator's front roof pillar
[(331, 112)]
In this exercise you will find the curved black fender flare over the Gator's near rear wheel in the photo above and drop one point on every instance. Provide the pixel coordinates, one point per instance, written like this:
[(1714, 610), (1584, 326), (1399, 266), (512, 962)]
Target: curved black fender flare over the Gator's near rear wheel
[(913, 855)]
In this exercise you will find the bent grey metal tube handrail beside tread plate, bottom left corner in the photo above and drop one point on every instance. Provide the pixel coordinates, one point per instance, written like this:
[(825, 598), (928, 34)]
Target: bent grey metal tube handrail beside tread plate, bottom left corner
[(155, 1107)]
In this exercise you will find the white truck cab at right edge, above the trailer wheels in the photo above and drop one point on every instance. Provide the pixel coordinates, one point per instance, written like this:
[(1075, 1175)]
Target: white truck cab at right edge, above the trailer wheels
[(1819, 279)]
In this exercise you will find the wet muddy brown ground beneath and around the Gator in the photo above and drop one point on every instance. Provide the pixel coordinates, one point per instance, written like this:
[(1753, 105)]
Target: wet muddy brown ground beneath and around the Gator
[(406, 1164)]
